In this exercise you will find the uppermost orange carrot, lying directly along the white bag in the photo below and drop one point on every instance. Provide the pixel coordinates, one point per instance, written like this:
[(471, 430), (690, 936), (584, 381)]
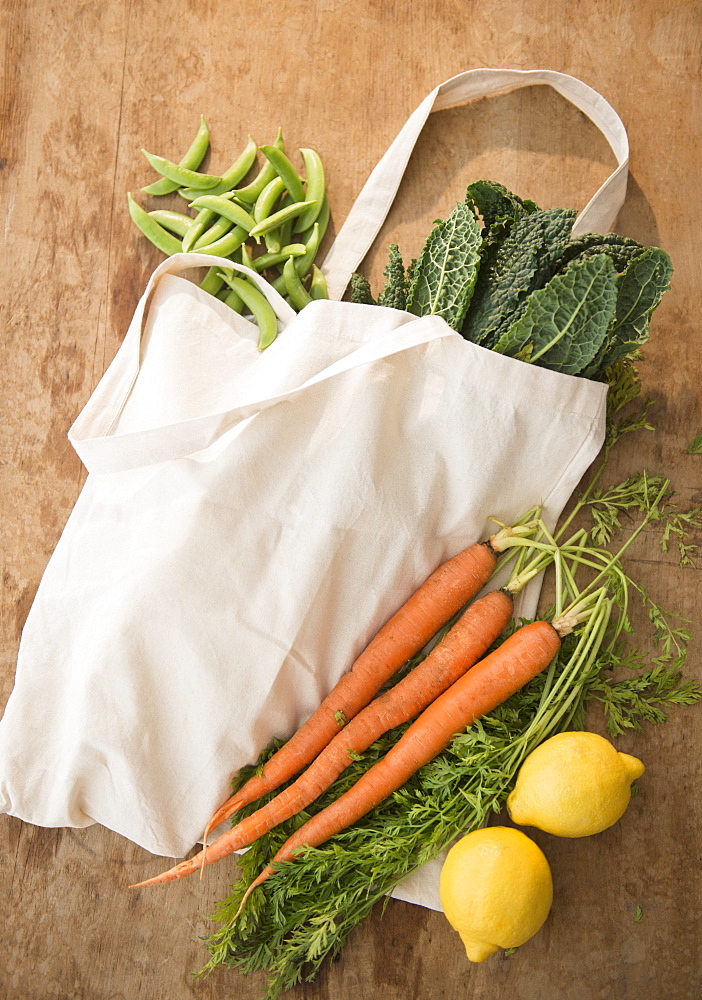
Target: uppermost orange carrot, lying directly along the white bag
[(444, 593)]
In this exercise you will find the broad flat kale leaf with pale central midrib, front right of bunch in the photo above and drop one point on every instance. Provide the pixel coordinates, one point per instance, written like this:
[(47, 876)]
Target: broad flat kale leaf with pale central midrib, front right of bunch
[(564, 324)]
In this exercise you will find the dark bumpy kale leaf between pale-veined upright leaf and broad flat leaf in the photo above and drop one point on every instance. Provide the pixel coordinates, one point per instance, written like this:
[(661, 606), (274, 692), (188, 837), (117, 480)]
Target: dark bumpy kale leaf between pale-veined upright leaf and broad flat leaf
[(523, 262)]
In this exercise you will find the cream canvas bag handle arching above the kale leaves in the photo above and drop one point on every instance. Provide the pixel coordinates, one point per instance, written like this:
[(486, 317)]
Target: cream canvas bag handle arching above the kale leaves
[(370, 209)]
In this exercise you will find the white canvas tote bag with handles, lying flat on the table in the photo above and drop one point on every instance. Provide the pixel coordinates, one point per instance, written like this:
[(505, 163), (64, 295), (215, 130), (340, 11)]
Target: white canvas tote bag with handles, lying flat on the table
[(250, 520)]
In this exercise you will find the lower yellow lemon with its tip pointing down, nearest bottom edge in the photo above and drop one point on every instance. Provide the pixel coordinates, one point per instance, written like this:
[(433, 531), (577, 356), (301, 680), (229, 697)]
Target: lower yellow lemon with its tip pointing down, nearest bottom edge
[(496, 890)]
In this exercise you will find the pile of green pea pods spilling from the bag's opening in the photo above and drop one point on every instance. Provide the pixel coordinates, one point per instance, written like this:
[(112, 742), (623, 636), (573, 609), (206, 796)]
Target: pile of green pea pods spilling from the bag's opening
[(274, 223)]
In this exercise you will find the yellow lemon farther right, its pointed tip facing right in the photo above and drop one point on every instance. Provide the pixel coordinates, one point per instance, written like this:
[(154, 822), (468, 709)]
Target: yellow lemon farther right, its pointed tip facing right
[(573, 785)]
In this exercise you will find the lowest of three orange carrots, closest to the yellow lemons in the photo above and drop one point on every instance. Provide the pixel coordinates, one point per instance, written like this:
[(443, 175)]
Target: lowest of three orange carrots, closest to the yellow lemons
[(490, 682)]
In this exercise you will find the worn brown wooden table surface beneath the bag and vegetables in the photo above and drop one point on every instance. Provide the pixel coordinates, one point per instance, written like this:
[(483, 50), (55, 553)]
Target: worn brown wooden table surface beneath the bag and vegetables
[(85, 86)]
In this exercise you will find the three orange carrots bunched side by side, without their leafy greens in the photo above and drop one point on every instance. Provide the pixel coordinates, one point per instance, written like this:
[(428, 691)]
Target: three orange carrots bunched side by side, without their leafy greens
[(455, 683)]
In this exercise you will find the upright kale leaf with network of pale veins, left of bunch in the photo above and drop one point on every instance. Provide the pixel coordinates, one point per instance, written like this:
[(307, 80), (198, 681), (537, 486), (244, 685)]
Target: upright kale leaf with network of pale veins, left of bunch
[(443, 278)]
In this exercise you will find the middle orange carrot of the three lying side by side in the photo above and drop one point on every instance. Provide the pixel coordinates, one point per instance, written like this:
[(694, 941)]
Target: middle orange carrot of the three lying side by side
[(461, 647)]
